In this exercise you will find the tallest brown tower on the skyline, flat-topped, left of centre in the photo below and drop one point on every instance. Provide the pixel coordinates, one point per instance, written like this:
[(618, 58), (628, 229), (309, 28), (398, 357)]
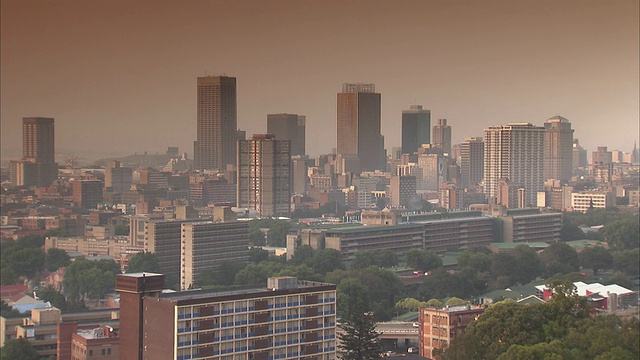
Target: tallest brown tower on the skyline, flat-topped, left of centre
[(215, 146)]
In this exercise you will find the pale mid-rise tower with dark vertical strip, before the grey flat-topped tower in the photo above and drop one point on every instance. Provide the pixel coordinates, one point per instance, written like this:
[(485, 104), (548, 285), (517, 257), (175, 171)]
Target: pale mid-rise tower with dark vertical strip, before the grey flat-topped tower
[(264, 175)]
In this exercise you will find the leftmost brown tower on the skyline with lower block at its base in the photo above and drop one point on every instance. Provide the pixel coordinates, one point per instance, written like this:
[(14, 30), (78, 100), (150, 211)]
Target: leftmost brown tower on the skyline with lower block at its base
[(38, 166)]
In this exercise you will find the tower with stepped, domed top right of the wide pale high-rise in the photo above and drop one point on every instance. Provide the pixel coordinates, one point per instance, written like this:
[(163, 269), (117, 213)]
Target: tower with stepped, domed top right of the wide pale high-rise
[(558, 149)]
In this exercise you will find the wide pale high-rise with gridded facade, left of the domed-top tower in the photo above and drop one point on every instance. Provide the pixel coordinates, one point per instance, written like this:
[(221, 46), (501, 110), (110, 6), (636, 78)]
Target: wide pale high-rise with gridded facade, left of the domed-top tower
[(516, 152)]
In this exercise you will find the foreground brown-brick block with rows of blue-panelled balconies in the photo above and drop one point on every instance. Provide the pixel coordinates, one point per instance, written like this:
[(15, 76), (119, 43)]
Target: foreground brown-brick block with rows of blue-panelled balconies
[(284, 318)]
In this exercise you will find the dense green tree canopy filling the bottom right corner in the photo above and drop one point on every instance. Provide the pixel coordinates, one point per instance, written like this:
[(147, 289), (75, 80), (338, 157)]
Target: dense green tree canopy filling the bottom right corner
[(559, 329)]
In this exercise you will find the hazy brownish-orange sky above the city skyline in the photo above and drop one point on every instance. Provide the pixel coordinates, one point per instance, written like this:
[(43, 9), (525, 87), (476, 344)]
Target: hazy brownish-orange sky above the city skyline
[(120, 76)]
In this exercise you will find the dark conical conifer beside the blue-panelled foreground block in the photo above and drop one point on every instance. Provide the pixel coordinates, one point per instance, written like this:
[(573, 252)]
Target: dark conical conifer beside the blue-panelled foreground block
[(360, 339)]
